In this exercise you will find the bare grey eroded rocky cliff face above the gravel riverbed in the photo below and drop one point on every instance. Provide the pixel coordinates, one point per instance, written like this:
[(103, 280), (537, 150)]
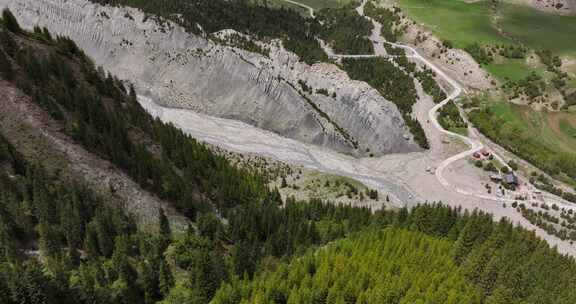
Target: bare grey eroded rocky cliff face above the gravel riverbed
[(316, 104)]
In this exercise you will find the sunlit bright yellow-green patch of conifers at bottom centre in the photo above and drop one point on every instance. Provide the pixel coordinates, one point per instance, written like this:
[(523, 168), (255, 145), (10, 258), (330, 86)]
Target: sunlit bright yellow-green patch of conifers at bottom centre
[(383, 266)]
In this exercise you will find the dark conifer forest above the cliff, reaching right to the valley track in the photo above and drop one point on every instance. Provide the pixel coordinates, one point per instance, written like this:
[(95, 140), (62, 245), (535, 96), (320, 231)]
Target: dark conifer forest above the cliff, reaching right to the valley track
[(343, 28)]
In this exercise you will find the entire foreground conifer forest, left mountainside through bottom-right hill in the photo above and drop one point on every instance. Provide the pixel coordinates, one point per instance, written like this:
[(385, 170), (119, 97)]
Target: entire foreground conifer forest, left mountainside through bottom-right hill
[(61, 242)]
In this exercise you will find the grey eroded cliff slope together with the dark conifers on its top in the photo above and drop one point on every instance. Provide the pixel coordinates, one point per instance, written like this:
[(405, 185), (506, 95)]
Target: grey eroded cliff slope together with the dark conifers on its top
[(253, 79)]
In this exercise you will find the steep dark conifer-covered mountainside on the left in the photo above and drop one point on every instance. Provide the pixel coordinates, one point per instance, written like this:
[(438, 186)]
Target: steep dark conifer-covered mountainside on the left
[(68, 242)]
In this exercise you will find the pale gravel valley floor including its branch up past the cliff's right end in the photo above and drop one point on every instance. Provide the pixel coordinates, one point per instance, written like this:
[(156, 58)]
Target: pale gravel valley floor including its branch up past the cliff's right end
[(407, 179)]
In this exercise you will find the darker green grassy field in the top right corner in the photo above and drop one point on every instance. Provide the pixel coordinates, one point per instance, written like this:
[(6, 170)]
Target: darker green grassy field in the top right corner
[(539, 30)]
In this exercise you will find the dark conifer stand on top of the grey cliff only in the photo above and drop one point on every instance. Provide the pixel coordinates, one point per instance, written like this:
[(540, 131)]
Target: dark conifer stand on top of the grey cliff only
[(206, 17)]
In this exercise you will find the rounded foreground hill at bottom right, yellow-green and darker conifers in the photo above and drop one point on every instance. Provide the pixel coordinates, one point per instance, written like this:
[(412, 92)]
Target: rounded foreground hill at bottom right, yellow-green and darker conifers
[(444, 257)]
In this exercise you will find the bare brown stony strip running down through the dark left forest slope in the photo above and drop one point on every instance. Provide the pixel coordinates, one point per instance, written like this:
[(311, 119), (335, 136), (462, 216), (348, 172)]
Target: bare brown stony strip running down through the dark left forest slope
[(38, 137)]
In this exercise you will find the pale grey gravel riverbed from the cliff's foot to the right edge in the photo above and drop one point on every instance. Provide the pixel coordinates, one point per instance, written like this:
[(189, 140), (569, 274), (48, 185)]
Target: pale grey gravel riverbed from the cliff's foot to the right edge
[(403, 176)]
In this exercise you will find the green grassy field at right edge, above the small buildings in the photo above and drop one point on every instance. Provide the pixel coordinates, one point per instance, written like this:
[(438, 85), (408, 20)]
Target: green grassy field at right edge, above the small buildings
[(546, 139)]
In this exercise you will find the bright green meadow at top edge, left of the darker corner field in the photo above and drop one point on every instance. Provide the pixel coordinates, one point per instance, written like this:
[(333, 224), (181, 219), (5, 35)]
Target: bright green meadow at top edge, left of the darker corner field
[(457, 21)]
